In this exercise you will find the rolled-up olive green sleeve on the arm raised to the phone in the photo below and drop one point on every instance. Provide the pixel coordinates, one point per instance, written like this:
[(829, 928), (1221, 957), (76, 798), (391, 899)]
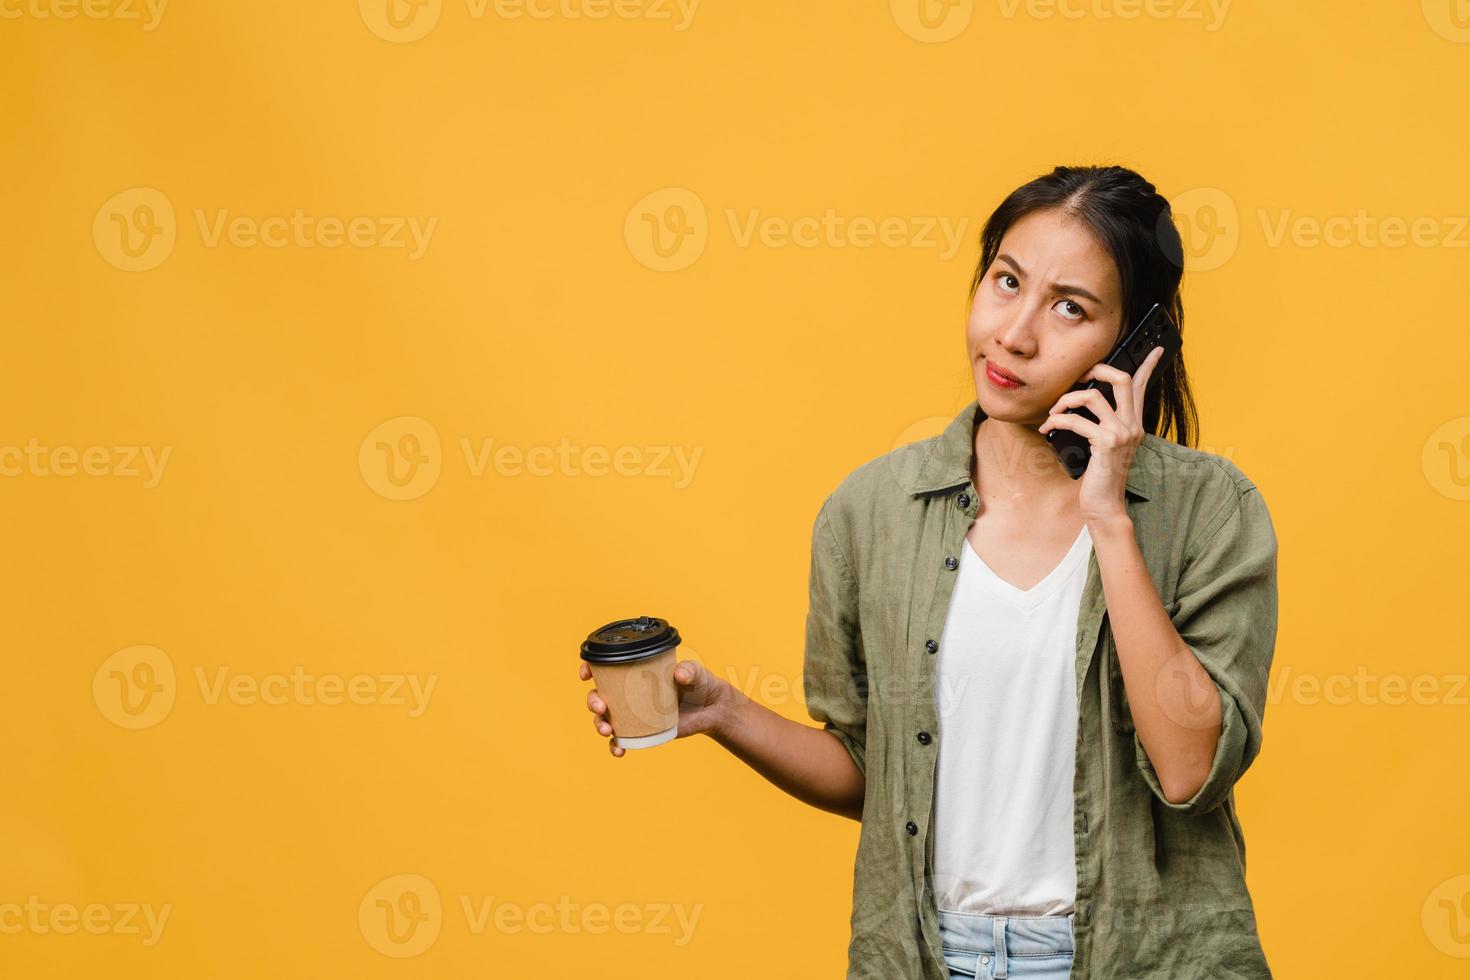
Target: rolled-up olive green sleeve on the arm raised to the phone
[(1225, 610)]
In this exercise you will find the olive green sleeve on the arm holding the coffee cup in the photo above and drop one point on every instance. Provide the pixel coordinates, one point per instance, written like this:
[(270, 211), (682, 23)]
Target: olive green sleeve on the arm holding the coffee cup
[(834, 666)]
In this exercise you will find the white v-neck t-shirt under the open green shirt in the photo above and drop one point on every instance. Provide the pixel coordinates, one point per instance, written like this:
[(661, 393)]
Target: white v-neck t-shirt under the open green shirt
[(1008, 706)]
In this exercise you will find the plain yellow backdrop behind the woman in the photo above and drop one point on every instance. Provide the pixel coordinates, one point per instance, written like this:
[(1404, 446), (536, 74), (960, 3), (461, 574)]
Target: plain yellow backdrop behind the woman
[(1334, 375)]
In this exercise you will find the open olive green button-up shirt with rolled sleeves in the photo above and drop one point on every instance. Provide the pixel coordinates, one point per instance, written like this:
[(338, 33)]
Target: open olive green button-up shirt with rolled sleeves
[(1161, 885)]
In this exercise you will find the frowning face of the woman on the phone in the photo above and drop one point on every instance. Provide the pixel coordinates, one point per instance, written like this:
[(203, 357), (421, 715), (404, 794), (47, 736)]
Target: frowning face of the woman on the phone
[(1047, 309)]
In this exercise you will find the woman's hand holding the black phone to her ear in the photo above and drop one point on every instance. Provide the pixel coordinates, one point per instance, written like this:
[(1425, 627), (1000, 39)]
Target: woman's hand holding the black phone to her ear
[(1114, 437)]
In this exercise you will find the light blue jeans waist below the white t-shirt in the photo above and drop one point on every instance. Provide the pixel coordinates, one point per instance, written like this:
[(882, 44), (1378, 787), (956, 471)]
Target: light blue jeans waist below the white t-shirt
[(1027, 948)]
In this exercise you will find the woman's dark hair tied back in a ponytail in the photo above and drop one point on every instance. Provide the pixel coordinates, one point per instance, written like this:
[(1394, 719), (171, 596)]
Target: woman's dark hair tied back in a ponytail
[(1136, 226)]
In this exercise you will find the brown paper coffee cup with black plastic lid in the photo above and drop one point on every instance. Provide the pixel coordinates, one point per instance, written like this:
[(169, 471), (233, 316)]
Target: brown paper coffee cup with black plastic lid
[(633, 665)]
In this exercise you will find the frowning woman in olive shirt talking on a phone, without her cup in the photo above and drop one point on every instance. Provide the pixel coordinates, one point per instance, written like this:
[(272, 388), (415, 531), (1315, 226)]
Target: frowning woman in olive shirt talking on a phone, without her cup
[(1037, 693)]
